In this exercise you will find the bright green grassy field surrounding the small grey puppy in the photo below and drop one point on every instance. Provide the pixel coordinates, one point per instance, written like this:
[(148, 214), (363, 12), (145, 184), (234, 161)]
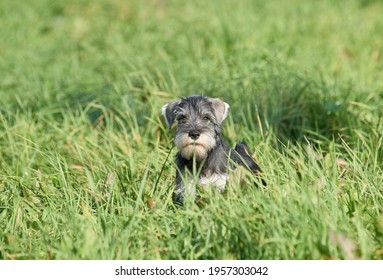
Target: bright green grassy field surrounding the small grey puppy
[(86, 163)]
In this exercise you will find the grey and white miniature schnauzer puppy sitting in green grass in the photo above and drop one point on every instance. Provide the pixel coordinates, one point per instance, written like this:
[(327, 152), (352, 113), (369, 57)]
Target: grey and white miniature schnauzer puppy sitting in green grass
[(201, 149)]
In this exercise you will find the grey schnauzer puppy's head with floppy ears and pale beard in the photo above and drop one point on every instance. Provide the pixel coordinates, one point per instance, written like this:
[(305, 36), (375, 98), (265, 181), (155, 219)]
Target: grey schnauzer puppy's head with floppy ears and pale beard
[(198, 121)]
